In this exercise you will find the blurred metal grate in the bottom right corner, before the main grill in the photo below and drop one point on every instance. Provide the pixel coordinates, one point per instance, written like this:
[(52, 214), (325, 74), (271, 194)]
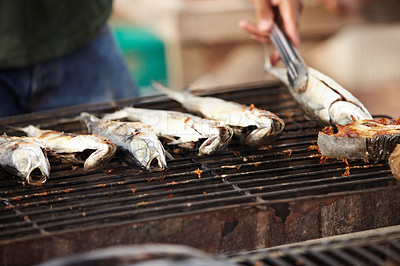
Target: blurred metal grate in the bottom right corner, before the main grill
[(377, 247)]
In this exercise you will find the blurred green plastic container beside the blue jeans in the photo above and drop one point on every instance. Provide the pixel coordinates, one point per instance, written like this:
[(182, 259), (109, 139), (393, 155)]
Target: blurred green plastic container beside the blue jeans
[(144, 54)]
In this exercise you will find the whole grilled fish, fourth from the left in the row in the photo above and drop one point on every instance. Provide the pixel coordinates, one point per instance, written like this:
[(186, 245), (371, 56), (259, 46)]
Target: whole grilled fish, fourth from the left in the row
[(178, 128)]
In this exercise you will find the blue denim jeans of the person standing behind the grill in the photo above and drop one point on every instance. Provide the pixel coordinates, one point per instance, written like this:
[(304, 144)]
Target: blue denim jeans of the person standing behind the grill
[(93, 73)]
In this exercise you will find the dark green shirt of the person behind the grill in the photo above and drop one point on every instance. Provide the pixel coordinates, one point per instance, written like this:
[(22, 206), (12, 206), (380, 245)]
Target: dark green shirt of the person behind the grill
[(33, 31)]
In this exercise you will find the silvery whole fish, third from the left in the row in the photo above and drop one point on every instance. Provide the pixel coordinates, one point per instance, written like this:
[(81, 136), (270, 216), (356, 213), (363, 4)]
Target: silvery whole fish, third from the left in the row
[(137, 140)]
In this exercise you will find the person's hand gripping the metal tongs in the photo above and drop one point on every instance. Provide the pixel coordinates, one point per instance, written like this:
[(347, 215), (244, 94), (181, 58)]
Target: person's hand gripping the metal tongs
[(289, 11)]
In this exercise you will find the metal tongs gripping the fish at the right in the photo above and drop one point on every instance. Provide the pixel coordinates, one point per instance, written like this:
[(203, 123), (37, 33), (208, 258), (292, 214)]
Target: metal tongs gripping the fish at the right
[(296, 67)]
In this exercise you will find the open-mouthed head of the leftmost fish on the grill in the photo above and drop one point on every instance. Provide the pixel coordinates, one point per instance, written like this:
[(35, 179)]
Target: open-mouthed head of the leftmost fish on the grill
[(31, 163)]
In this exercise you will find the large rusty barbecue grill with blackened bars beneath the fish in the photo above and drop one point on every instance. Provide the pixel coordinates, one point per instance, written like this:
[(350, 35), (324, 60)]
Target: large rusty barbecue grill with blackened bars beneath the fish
[(238, 187)]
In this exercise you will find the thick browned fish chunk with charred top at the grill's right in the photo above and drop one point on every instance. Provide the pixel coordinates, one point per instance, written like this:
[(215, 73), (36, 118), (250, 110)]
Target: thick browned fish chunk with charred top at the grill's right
[(369, 140)]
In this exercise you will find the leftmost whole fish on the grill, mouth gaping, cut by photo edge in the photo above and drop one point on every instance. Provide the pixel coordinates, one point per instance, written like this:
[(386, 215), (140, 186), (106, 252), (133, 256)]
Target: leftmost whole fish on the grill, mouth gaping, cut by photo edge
[(24, 157)]
